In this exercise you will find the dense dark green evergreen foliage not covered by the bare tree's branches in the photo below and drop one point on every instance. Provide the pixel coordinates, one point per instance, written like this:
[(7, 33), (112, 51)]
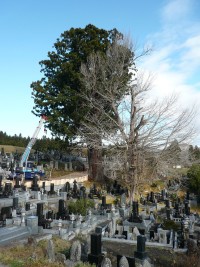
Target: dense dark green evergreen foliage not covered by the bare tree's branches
[(57, 94)]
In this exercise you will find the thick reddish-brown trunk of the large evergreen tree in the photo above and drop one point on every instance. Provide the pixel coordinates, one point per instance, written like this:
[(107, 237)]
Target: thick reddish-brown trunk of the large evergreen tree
[(95, 171)]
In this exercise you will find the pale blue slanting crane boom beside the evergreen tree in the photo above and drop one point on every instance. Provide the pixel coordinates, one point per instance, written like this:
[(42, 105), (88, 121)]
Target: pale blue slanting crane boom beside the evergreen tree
[(27, 151)]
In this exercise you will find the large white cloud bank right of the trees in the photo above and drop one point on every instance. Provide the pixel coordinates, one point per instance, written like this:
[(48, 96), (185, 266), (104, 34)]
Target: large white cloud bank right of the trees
[(176, 57)]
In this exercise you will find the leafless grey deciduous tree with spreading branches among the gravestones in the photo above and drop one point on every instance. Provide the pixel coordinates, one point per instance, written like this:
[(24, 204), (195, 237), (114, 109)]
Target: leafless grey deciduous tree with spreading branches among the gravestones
[(135, 132)]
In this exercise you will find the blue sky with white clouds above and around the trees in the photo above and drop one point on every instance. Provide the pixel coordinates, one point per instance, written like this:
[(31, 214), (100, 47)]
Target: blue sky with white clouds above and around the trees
[(30, 28)]
